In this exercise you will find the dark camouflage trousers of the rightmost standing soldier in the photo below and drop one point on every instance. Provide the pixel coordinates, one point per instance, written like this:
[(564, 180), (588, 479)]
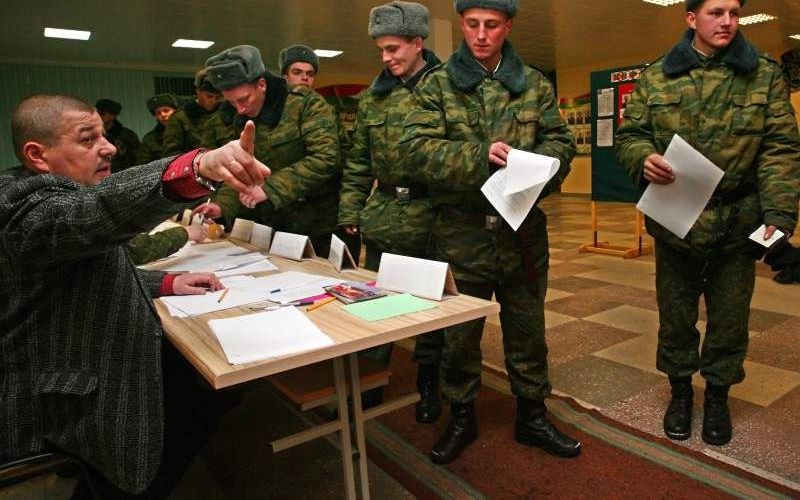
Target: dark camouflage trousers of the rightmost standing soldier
[(727, 286)]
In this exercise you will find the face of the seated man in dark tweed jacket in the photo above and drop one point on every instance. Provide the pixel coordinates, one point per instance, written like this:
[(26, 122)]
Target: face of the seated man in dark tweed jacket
[(79, 151)]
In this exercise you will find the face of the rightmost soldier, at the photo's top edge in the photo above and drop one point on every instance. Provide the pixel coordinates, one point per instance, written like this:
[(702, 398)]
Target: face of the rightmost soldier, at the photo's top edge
[(715, 22)]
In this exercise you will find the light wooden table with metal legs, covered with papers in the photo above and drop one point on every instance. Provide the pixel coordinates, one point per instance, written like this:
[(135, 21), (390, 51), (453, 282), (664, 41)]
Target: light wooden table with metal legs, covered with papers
[(195, 340)]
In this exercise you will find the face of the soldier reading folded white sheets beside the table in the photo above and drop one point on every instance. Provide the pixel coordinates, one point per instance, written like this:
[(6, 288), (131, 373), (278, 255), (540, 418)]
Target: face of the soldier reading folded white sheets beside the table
[(485, 30)]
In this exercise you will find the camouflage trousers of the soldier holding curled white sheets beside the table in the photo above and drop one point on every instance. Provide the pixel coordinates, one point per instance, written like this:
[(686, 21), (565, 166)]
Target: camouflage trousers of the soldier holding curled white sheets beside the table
[(522, 322)]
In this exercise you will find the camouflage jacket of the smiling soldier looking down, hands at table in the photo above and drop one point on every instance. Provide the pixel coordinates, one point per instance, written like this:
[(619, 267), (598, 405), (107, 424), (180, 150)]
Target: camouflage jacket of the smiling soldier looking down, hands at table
[(385, 222)]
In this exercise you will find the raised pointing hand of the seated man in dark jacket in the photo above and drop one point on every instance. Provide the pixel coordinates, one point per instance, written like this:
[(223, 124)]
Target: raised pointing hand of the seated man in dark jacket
[(234, 162)]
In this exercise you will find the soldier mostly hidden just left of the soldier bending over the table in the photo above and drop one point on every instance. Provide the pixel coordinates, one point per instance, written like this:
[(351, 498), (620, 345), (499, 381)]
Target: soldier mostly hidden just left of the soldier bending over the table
[(184, 131)]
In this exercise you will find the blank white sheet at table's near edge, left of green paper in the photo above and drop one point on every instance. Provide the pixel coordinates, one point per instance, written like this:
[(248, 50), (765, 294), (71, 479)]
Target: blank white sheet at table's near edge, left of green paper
[(265, 335)]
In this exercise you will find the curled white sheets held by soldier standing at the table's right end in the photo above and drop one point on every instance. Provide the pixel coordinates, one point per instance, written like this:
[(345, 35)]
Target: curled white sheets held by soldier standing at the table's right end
[(513, 190)]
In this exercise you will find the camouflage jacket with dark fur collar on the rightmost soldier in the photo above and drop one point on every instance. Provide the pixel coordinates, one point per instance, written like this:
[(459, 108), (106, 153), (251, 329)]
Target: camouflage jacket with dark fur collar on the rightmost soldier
[(734, 108)]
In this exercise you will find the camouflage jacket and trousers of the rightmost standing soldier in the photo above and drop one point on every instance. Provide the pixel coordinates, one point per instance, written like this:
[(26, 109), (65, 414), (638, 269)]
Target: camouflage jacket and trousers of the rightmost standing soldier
[(733, 108)]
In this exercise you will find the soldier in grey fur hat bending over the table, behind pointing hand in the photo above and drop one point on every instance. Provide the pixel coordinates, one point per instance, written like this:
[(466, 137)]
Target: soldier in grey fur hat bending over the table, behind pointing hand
[(302, 195)]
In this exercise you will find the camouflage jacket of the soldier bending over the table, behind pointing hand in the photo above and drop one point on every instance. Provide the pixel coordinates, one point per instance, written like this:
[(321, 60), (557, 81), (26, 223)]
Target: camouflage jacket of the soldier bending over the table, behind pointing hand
[(297, 137)]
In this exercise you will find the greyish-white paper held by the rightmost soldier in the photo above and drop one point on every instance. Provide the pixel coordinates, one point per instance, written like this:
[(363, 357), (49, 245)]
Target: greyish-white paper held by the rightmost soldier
[(677, 205)]
